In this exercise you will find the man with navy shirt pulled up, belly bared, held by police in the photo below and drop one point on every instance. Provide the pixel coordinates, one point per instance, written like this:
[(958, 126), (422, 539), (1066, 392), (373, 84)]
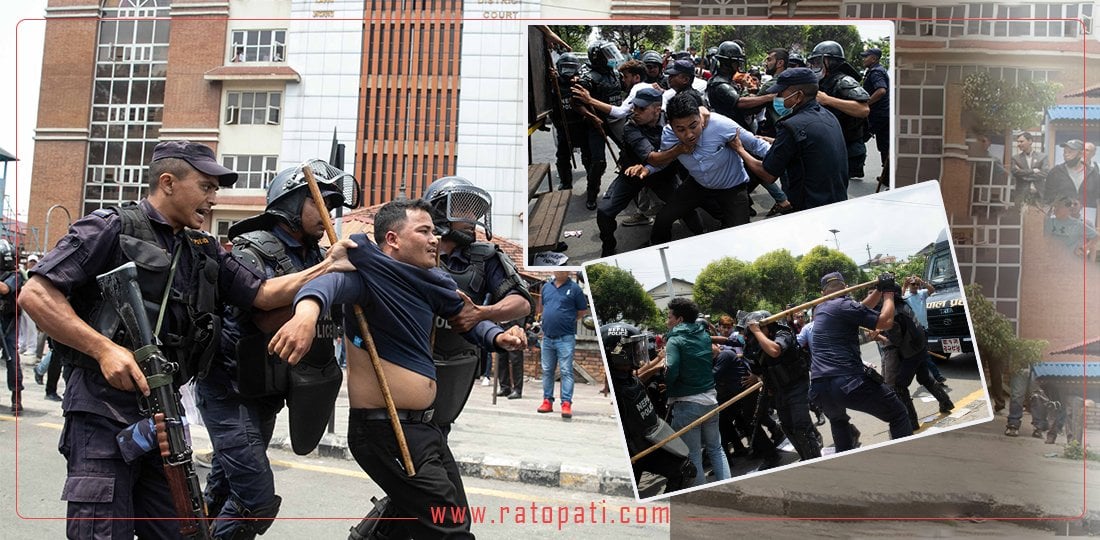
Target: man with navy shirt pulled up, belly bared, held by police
[(401, 291)]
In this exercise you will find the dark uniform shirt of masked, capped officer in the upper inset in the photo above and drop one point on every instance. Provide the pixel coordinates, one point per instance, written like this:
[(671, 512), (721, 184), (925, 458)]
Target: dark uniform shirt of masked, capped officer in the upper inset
[(809, 156)]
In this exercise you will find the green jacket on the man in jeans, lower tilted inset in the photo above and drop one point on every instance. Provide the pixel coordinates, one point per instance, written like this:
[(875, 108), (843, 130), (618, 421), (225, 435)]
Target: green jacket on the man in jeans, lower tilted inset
[(689, 359)]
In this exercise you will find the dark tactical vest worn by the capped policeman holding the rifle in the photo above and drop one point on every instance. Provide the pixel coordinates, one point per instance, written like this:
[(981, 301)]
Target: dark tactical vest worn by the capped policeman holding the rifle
[(193, 318)]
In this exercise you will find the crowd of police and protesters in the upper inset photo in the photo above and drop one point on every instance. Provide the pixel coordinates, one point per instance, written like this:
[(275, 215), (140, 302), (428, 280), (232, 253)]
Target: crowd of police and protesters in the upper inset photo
[(702, 133)]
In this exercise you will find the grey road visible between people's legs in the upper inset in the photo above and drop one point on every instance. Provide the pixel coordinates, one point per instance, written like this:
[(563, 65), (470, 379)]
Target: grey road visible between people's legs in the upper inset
[(588, 247)]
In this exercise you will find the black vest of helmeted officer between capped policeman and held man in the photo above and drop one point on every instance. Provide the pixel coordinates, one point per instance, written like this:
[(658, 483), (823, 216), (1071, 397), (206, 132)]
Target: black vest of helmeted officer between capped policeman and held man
[(263, 250)]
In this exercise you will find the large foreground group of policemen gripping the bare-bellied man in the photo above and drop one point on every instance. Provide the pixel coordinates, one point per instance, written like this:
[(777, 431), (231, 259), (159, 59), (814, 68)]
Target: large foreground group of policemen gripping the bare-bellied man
[(254, 329)]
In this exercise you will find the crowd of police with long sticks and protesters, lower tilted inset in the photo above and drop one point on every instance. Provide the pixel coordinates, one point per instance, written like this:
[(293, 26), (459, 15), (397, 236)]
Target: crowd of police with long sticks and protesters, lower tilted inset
[(812, 372)]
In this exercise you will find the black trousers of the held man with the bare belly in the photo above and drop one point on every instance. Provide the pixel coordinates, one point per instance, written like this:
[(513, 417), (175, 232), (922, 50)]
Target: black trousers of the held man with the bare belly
[(437, 484)]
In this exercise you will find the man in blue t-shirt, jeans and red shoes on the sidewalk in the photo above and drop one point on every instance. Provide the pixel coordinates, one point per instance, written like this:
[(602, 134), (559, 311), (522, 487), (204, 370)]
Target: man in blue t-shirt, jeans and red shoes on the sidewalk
[(564, 303)]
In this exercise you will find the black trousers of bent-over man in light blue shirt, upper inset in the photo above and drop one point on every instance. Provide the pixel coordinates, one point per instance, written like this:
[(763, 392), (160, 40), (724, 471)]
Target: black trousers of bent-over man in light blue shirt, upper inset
[(690, 196)]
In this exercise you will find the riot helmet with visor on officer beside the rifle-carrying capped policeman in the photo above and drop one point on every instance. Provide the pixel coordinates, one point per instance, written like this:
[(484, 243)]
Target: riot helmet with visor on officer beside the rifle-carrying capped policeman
[(289, 191)]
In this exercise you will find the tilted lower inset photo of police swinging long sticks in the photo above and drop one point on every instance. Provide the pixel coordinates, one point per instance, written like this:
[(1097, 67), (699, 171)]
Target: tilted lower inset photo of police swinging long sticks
[(779, 344)]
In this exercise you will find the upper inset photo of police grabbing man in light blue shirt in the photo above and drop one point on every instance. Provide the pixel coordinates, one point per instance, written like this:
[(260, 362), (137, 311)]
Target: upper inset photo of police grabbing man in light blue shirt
[(643, 135)]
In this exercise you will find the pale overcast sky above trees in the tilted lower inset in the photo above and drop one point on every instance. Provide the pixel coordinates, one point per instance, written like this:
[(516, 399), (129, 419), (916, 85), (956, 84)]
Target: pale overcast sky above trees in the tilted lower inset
[(898, 223)]
